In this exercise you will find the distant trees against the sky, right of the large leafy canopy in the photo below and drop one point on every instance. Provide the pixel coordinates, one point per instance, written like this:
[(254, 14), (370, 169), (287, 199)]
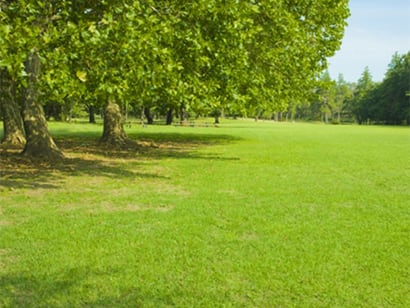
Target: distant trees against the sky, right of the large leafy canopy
[(386, 102)]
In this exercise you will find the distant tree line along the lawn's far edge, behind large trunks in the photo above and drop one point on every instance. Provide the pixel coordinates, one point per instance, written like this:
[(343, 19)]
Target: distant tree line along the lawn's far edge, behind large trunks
[(330, 101)]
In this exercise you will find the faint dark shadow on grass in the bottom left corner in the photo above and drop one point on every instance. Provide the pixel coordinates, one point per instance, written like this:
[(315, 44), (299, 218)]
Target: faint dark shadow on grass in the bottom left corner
[(29, 291)]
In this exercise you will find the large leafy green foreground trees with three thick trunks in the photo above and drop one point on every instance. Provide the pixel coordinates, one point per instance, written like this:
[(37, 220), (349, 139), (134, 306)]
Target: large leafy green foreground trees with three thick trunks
[(200, 55)]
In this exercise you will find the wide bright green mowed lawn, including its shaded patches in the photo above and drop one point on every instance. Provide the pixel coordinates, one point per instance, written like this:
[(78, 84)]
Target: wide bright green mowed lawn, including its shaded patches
[(244, 215)]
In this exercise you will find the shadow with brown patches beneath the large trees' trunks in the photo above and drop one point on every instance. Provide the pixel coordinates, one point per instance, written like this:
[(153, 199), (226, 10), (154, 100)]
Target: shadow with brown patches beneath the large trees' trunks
[(86, 155)]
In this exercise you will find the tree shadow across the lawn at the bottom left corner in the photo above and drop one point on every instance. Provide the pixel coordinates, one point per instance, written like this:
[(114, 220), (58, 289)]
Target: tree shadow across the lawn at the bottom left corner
[(73, 287)]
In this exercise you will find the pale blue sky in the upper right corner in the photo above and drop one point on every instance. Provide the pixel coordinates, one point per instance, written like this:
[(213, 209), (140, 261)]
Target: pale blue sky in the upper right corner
[(376, 30)]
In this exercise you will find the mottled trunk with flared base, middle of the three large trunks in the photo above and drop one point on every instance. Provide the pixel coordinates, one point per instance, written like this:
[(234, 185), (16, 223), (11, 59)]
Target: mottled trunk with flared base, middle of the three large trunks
[(39, 144)]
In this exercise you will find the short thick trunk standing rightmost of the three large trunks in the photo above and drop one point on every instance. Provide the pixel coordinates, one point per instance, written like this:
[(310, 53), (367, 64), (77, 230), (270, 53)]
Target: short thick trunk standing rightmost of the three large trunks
[(114, 133)]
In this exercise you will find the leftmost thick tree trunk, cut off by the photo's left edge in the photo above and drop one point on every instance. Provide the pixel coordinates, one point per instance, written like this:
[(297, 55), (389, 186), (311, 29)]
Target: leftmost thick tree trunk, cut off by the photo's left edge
[(12, 121)]
